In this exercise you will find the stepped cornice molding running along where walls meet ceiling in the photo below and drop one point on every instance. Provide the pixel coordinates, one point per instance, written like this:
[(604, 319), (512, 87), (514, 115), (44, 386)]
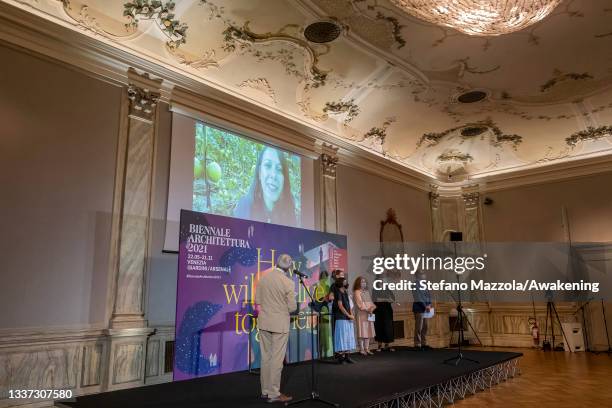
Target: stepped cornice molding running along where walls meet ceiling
[(44, 32)]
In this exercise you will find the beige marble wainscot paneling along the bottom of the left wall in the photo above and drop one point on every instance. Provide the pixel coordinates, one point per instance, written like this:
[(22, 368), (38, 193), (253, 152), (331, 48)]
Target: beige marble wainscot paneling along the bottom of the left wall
[(85, 359)]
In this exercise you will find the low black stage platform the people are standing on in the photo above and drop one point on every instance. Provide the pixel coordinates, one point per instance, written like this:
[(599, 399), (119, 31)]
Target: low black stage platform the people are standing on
[(403, 378)]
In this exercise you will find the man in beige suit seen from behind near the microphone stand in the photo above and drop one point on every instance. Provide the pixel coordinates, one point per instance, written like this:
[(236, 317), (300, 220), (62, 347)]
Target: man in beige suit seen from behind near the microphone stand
[(275, 299)]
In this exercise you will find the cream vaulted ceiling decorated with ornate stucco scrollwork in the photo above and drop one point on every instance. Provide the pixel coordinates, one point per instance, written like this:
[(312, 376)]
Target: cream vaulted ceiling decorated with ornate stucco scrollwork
[(390, 83)]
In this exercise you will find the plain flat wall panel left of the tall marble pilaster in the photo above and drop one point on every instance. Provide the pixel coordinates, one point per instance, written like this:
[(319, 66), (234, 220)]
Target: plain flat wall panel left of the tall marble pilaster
[(58, 144)]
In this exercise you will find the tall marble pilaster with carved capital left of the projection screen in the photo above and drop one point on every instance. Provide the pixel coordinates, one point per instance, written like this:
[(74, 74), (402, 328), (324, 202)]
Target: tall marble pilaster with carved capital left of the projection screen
[(128, 330)]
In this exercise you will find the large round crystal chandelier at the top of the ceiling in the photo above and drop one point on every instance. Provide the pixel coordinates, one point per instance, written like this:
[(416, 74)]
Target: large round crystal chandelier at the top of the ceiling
[(480, 17)]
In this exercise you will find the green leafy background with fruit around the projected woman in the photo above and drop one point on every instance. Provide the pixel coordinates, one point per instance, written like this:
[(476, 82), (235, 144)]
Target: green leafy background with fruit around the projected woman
[(236, 158)]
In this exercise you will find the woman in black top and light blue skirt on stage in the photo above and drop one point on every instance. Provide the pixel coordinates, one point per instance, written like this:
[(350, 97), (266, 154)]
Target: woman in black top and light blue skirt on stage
[(344, 331)]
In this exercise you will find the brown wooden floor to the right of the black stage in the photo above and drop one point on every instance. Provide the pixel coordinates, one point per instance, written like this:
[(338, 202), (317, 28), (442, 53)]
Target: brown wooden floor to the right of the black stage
[(551, 379)]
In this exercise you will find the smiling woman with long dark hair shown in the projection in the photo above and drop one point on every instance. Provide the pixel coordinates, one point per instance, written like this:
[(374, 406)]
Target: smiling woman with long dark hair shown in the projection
[(269, 197)]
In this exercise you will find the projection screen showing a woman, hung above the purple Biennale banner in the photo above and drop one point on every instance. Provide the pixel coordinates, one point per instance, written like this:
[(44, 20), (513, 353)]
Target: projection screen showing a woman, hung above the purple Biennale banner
[(217, 171)]
